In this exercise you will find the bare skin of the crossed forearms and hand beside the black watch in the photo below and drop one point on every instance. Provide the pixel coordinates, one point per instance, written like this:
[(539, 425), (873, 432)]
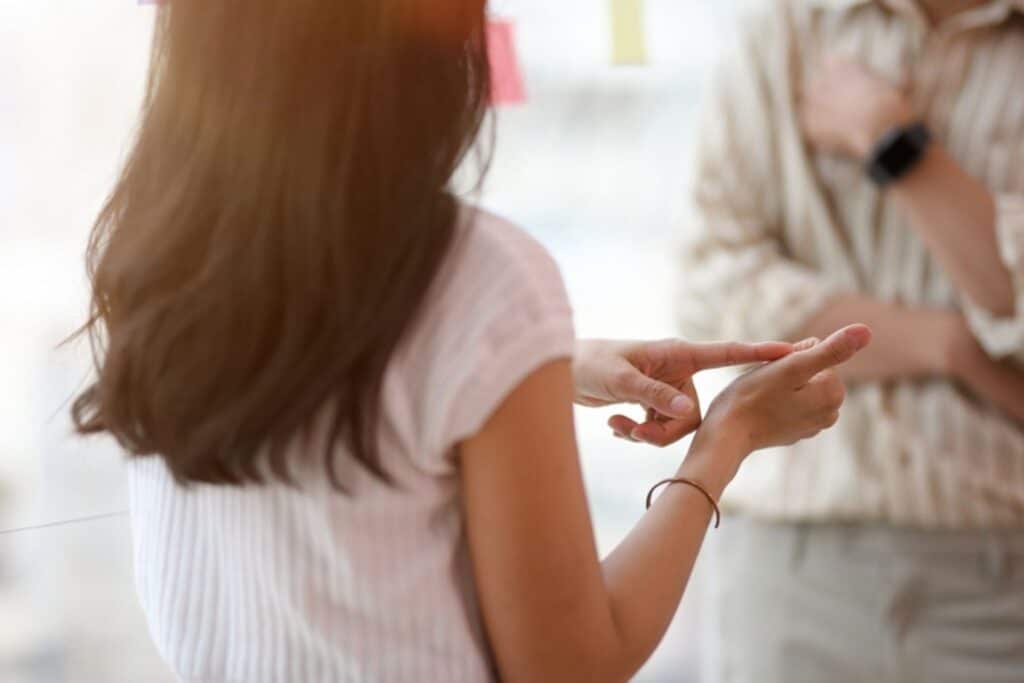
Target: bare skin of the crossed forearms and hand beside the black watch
[(845, 110)]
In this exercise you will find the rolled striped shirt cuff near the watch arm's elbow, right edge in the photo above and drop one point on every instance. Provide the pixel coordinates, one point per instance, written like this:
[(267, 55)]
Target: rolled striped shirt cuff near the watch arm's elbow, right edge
[(1003, 337)]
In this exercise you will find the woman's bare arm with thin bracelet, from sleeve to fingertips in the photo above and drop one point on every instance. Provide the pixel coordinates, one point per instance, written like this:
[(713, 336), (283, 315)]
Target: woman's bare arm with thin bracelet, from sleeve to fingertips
[(552, 611)]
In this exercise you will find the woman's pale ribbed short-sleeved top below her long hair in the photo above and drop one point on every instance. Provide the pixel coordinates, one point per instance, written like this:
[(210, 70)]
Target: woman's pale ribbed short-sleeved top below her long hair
[(280, 585)]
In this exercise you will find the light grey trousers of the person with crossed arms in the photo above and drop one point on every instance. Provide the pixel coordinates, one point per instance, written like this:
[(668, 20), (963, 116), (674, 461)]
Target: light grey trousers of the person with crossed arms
[(830, 604)]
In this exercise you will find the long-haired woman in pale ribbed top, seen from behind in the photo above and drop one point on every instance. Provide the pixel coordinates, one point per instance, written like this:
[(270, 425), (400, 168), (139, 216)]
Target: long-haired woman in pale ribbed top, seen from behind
[(349, 395)]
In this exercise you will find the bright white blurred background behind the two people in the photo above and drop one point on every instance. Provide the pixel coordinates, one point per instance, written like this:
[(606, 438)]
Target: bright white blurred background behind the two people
[(595, 163)]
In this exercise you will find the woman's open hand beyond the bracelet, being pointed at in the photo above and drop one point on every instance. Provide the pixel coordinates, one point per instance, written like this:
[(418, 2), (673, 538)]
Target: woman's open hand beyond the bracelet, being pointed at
[(787, 401)]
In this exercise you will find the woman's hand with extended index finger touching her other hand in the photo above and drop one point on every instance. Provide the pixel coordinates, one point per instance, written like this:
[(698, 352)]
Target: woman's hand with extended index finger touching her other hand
[(659, 376)]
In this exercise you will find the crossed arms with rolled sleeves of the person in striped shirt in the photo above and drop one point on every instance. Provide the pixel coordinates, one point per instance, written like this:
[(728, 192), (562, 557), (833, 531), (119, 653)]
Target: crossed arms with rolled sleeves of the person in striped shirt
[(743, 284)]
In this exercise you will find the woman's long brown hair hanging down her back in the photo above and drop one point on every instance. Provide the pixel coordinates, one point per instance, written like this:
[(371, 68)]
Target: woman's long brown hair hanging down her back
[(279, 222)]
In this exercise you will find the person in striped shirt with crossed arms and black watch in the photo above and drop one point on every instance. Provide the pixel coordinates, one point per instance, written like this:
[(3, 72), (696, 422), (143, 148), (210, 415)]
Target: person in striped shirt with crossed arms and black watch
[(865, 160)]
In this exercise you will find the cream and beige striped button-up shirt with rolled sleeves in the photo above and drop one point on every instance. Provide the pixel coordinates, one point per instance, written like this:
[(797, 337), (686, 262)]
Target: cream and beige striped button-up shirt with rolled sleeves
[(781, 230)]
